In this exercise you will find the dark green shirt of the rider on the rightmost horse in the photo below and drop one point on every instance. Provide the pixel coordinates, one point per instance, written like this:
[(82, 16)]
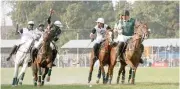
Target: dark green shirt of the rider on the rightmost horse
[(128, 27)]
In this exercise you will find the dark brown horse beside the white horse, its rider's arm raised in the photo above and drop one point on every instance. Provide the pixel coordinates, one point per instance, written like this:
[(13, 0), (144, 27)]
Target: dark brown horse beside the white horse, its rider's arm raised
[(43, 60)]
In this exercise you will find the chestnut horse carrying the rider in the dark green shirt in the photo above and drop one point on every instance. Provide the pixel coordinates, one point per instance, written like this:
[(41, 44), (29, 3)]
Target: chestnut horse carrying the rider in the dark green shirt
[(133, 52)]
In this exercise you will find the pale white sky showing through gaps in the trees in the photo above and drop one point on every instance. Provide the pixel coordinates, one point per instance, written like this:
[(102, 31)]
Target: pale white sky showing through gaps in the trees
[(7, 9)]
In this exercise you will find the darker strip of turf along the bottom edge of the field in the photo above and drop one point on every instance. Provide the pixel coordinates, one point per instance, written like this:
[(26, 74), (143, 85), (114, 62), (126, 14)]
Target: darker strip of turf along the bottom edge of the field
[(100, 86)]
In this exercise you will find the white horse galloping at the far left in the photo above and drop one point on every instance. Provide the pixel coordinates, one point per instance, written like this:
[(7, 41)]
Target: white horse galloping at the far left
[(22, 57)]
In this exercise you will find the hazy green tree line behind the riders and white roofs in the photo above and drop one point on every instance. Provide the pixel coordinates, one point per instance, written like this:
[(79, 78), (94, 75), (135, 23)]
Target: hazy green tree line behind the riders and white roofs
[(162, 17)]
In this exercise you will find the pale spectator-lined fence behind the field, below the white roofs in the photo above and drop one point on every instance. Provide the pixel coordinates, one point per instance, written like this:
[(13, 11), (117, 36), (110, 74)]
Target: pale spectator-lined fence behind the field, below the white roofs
[(70, 60)]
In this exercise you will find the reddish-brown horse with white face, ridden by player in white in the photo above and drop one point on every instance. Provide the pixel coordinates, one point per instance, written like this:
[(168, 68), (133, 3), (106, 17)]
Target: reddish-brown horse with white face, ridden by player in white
[(104, 57)]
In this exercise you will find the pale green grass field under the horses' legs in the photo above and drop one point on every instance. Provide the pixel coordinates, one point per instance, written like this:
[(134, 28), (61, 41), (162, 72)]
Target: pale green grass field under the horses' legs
[(76, 78)]
